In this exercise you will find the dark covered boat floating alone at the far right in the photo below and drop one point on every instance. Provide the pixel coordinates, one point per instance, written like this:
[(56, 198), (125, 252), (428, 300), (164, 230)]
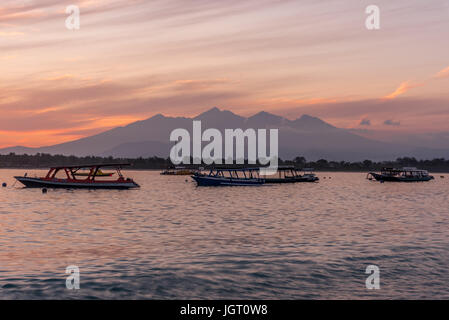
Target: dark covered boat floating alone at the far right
[(407, 174)]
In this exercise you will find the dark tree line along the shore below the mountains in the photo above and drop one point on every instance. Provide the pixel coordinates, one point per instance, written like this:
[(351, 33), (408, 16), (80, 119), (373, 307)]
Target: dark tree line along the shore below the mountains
[(43, 161)]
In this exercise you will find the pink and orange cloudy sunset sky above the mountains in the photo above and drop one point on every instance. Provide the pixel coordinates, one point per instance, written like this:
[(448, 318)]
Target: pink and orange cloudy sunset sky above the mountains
[(132, 59)]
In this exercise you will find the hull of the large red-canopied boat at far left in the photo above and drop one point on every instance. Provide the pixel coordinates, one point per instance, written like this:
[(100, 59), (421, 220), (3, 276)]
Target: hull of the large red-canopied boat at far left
[(65, 184)]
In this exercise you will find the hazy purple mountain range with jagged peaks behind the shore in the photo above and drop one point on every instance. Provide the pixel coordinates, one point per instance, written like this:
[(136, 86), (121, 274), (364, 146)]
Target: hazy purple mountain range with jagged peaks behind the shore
[(306, 136)]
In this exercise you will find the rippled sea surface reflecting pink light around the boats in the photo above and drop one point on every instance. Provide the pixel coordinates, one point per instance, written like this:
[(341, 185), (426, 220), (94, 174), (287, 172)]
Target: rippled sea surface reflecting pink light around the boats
[(171, 239)]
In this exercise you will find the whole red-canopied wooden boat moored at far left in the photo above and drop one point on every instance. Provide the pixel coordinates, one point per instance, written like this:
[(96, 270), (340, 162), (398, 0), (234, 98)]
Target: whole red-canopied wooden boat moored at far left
[(71, 181)]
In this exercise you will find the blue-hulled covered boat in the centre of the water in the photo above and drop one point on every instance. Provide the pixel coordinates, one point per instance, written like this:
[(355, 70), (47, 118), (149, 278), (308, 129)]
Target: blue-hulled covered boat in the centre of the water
[(229, 177)]
